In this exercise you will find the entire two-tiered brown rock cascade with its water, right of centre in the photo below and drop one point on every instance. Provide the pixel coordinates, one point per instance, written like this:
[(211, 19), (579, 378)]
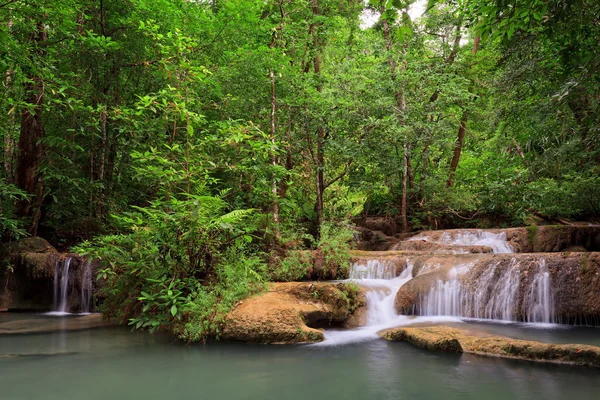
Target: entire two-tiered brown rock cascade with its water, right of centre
[(476, 274)]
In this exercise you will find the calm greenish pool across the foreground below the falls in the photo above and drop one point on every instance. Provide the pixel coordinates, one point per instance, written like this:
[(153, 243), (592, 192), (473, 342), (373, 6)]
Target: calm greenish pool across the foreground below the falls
[(114, 363)]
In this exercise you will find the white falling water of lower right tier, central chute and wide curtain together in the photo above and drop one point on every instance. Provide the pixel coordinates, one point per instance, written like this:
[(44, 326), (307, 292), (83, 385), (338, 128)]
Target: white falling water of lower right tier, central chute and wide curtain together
[(494, 298)]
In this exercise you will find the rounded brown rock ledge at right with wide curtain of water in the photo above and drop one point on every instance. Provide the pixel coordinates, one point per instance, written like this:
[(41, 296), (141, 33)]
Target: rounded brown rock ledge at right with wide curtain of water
[(536, 288)]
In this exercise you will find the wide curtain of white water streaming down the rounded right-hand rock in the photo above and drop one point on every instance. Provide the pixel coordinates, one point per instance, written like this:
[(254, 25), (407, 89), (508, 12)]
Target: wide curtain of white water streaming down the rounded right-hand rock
[(494, 294)]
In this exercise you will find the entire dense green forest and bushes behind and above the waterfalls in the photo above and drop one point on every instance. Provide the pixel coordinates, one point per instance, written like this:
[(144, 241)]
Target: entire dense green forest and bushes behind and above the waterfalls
[(194, 146)]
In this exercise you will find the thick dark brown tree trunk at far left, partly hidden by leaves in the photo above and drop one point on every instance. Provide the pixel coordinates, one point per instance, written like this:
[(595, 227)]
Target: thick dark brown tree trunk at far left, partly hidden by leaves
[(30, 146)]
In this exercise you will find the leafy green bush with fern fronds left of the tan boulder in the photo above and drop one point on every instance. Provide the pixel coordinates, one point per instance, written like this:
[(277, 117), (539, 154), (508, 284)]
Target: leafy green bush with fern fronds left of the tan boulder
[(182, 261)]
